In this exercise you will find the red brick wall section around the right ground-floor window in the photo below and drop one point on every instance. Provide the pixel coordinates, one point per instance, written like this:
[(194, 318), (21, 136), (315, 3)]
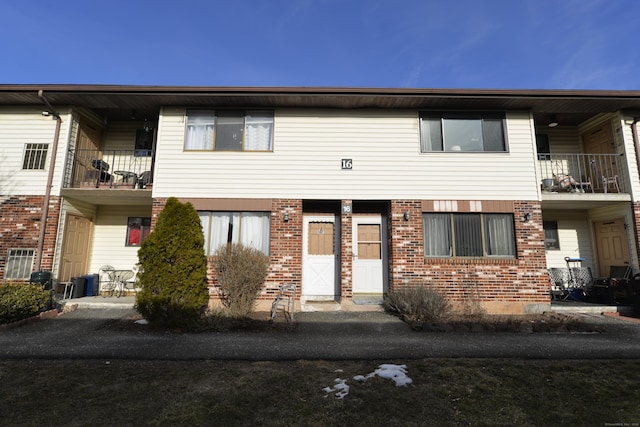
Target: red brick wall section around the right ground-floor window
[(501, 283)]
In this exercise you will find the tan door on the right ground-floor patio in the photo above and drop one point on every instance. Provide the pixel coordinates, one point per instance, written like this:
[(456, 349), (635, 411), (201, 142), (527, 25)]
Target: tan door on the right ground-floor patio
[(612, 244)]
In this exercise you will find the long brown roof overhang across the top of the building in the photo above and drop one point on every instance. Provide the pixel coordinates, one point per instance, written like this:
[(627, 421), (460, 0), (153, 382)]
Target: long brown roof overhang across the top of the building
[(118, 102)]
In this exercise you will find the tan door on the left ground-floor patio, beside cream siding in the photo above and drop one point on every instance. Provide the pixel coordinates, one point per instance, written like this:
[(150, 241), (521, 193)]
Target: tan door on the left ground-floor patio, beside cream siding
[(75, 249)]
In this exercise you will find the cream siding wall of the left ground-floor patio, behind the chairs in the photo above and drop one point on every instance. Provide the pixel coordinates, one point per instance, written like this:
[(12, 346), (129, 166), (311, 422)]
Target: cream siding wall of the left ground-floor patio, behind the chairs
[(109, 237)]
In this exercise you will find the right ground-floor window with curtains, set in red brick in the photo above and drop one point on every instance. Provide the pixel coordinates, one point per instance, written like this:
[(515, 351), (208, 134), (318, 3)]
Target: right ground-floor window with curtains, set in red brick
[(468, 235)]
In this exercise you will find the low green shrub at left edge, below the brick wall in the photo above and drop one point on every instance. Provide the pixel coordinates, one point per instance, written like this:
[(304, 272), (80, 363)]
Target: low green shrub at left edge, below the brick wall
[(20, 301)]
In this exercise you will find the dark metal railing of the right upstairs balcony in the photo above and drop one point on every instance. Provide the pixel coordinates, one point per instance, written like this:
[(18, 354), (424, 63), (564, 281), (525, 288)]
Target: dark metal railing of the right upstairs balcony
[(589, 173)]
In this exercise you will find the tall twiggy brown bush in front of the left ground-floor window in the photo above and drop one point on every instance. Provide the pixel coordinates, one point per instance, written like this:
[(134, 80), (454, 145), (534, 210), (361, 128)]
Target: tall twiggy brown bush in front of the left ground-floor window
[(241, 271)]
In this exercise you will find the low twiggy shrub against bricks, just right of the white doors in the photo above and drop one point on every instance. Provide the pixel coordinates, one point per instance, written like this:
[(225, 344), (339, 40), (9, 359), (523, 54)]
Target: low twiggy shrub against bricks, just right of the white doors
[(418, 304)]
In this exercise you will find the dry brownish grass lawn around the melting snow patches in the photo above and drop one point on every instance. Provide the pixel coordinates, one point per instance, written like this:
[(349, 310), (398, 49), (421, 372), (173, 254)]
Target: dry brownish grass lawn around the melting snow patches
[(444, 392)]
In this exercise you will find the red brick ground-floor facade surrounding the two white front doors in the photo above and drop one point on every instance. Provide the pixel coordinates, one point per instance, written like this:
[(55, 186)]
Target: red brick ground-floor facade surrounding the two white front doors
[(503, 283)]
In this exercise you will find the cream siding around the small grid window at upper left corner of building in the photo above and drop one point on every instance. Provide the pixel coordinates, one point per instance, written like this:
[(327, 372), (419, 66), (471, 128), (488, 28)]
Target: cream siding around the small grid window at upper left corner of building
[(19, 127)]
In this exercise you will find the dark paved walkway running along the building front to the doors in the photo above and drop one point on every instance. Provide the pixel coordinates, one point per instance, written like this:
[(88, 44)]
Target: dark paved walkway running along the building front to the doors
[(91, 333)]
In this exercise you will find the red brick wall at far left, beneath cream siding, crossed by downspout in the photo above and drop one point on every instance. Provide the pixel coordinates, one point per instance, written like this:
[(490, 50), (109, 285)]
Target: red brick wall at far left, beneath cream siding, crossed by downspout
[(20, 218)]
